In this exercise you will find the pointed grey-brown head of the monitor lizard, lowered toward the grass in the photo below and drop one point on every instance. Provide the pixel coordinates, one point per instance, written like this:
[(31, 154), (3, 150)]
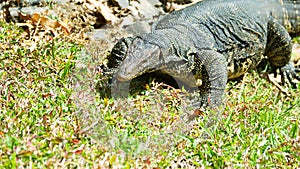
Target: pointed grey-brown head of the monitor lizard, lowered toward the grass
[(142, 57)]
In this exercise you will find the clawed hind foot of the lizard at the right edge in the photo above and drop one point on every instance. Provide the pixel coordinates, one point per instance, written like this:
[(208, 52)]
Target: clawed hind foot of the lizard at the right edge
[(290, 73)]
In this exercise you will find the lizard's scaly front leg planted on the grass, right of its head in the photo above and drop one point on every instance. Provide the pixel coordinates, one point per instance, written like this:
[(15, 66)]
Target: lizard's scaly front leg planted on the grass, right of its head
[(211, 67)]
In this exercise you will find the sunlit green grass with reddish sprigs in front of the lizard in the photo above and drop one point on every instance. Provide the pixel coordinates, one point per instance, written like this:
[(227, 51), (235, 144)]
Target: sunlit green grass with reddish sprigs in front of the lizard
[(47, 121)]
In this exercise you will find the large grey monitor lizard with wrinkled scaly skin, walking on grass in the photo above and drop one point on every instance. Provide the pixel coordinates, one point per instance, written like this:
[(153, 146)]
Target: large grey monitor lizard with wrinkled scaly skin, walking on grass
[(210, 42)]
